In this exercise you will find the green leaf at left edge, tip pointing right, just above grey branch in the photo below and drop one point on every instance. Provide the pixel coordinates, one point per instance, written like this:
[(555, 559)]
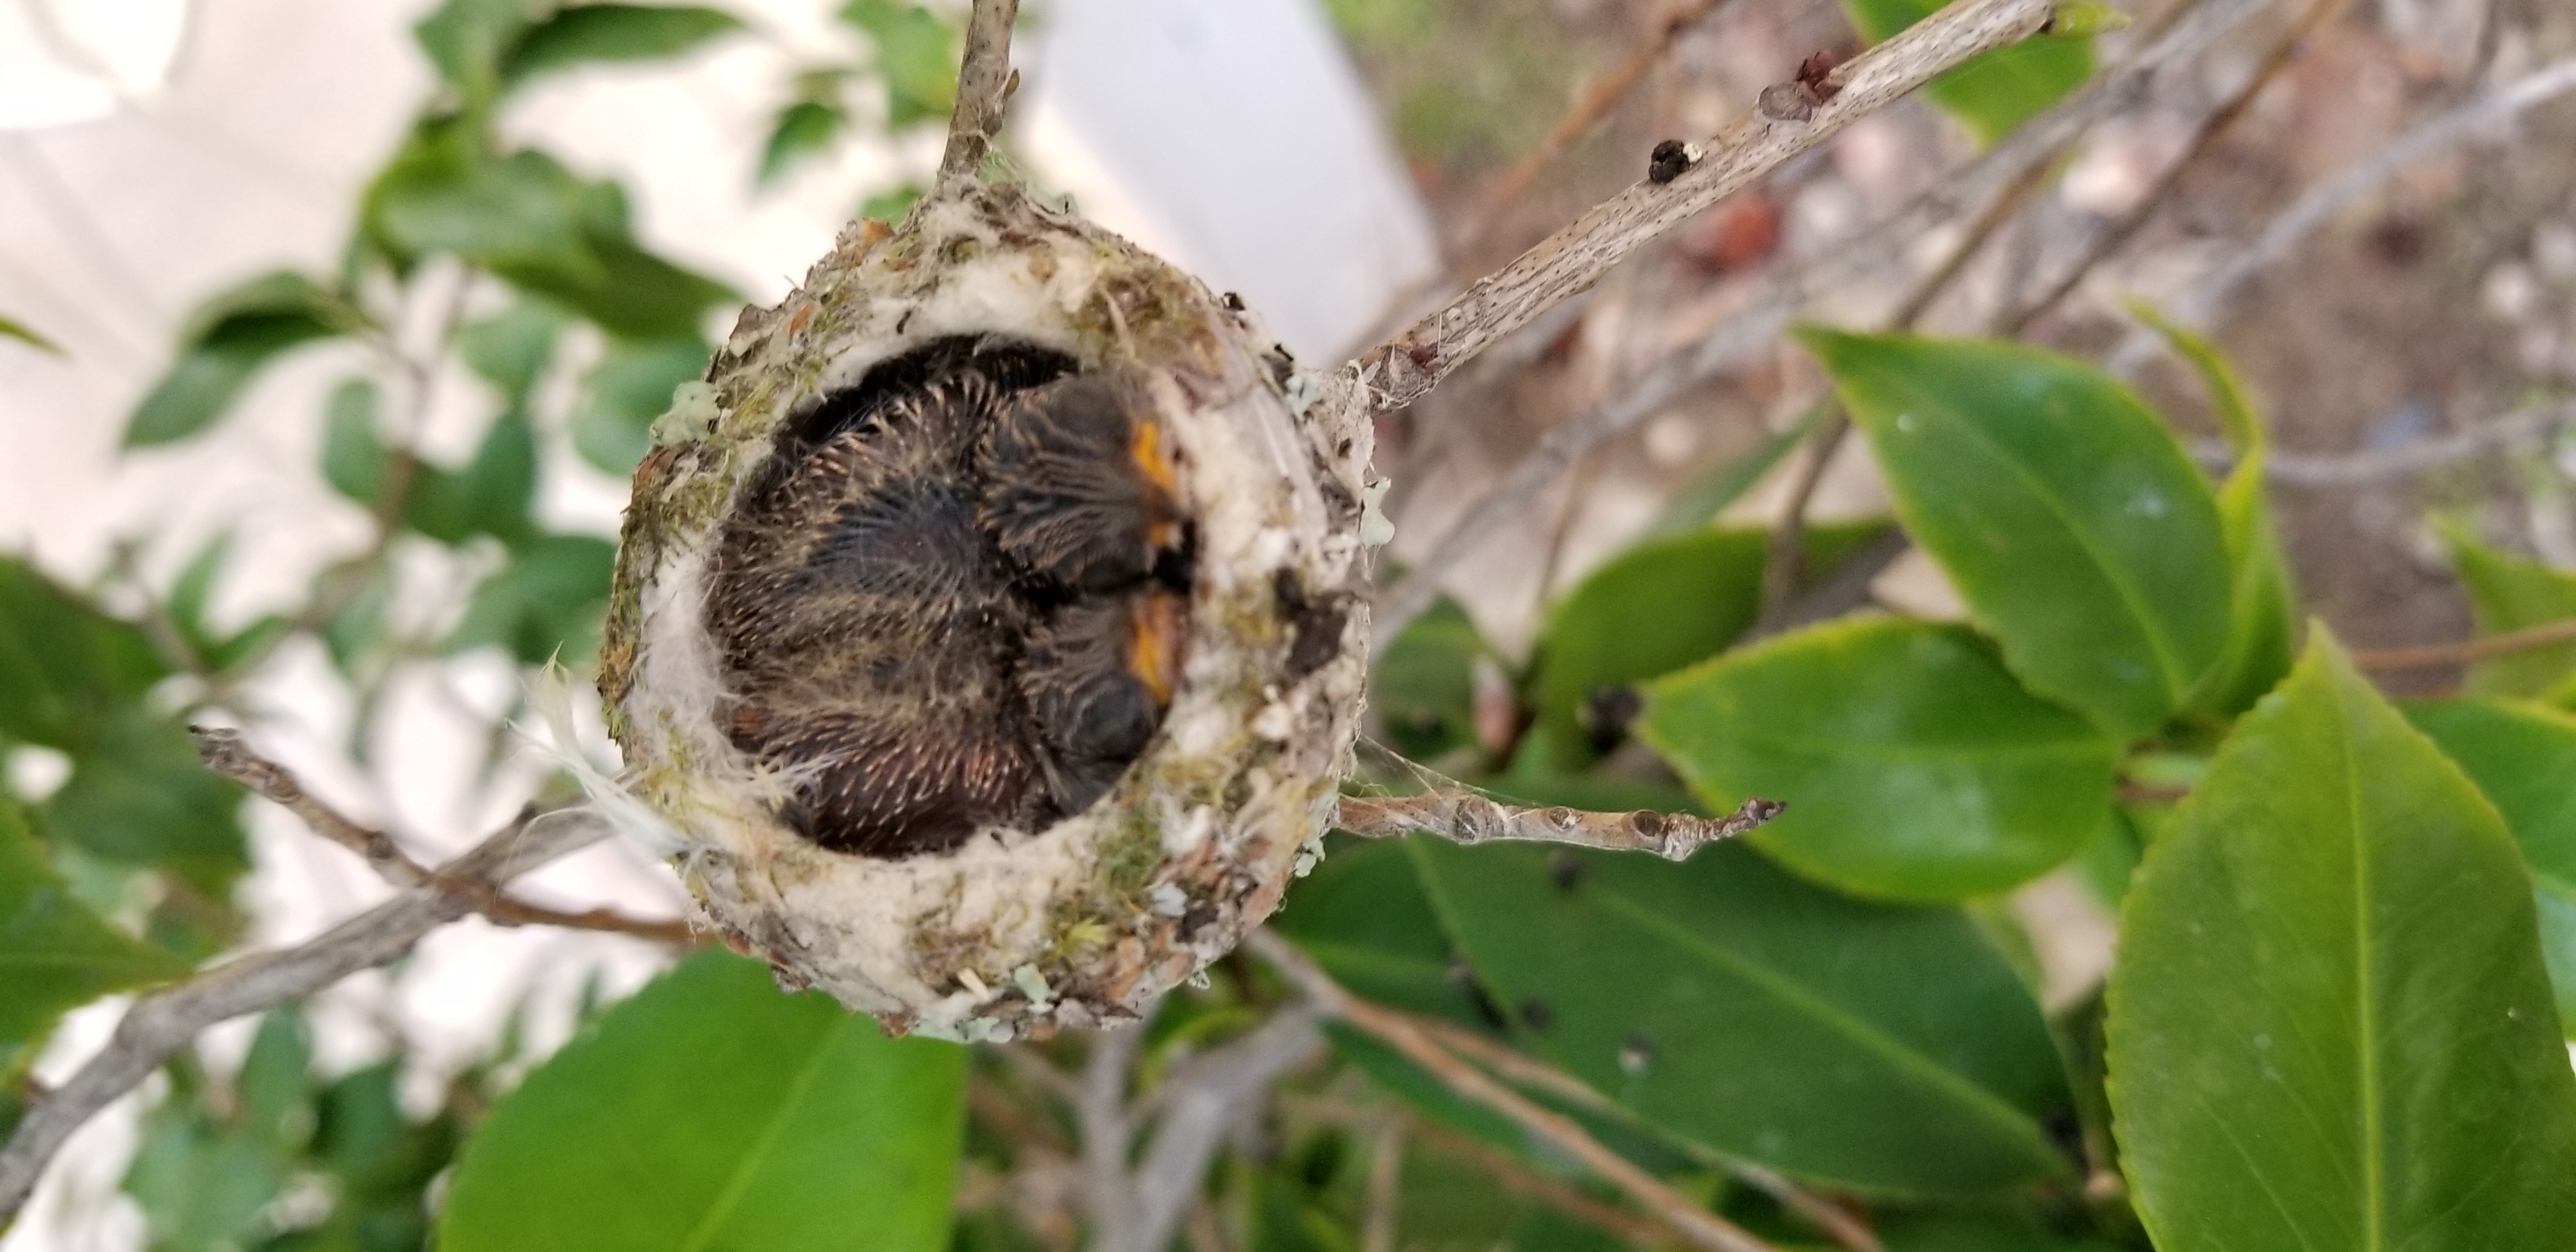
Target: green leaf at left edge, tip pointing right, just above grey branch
[(55, 952)]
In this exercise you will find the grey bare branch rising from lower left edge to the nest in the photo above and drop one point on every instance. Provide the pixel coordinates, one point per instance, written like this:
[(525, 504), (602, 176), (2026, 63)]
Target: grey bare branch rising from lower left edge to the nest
[(161, 1024)]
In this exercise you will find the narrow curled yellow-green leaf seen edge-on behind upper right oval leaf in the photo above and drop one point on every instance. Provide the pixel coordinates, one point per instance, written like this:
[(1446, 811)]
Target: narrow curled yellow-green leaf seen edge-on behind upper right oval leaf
[(2263, 620)]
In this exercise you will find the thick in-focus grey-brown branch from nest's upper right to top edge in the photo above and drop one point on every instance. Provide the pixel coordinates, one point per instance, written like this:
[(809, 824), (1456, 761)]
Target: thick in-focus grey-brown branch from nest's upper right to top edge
[(1573, 259)]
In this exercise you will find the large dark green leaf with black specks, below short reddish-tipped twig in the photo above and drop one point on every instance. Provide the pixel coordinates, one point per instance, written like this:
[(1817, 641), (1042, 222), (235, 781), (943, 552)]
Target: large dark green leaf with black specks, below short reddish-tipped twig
[(1740, 1009)]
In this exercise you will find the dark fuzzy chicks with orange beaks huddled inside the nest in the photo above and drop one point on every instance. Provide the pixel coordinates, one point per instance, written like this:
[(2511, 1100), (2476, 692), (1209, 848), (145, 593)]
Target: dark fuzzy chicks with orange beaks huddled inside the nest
[(954, 602)]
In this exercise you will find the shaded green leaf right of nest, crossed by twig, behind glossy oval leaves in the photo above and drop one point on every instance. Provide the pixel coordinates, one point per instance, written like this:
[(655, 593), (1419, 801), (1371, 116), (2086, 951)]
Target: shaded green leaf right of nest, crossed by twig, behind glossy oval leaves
[(1655, 609)]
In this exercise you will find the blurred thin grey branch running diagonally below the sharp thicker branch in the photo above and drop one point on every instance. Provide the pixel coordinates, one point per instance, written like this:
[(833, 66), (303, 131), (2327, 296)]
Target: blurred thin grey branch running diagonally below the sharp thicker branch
[(1761, 321)]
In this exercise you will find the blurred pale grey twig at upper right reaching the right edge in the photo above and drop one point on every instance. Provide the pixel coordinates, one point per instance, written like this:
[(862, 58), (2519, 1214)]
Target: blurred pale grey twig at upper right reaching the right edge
[(2479, 117)]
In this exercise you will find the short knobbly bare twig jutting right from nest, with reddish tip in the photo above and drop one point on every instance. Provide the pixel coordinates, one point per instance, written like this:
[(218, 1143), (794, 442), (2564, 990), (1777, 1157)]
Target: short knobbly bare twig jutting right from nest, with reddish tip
[(1467, 818)]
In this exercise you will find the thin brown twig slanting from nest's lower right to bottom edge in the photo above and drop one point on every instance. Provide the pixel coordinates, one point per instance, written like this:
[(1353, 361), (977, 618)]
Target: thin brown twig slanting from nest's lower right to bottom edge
[(1699, 1228)]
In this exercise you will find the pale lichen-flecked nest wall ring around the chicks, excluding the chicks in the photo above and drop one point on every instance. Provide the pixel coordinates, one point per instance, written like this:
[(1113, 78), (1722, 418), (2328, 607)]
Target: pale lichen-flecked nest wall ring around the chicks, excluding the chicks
[(1091, 916)]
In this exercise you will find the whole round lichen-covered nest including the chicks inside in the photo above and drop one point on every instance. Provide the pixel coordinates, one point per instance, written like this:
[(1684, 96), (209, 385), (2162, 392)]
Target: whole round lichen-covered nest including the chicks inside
[(988, 627)]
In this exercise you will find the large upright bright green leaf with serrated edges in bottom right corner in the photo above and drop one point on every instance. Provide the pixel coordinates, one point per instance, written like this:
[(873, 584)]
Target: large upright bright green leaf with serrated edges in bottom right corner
[(2330, 1024)]
